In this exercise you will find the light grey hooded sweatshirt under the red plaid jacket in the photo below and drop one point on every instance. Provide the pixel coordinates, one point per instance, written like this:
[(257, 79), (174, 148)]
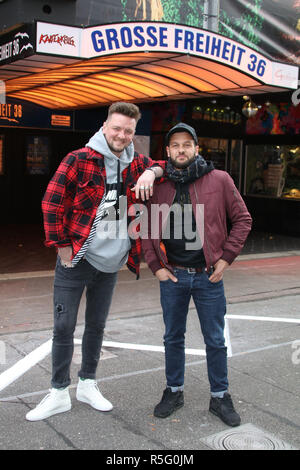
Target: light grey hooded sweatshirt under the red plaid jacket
[(108, 251)]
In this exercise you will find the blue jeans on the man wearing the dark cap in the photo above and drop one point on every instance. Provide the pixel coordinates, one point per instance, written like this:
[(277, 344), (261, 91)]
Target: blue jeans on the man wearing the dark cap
[(210, 304)]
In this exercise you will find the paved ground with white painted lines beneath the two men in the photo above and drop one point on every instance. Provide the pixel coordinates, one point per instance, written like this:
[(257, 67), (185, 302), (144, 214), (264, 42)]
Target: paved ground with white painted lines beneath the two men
[(263, 320)]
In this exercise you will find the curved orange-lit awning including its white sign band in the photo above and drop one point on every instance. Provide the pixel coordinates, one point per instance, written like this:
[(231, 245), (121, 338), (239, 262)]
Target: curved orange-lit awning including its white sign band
[(160, 73)]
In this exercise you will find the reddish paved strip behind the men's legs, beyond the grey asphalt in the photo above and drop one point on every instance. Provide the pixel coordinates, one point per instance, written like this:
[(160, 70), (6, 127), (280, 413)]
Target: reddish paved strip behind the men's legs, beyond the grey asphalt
[(26, 298)]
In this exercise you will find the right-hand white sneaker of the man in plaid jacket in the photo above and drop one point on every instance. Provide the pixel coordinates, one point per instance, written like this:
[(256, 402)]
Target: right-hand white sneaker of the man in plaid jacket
[(88, 392)]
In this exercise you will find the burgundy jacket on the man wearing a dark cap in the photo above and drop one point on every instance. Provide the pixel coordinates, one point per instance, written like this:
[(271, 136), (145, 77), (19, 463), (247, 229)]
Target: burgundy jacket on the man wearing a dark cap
[(214, 197)]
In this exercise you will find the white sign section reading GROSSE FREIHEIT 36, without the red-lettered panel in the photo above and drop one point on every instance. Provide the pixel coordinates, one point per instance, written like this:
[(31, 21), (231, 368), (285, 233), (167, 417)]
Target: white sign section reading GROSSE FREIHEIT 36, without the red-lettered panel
[(162, 37)]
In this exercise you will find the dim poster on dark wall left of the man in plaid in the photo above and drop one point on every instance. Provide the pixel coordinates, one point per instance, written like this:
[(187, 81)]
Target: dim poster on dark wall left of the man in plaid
[(37, 155)]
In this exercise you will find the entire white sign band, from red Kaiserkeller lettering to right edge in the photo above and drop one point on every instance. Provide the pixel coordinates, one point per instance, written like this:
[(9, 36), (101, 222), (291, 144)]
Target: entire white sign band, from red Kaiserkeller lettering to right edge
[(98, 41)]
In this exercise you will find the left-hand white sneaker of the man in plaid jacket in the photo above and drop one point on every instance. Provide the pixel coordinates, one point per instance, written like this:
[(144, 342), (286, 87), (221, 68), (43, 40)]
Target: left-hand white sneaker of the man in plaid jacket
[(57, 401)]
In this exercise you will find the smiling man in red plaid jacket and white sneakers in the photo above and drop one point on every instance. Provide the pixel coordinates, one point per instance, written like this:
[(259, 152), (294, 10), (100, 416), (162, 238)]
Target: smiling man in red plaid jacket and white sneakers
[(85, 211)]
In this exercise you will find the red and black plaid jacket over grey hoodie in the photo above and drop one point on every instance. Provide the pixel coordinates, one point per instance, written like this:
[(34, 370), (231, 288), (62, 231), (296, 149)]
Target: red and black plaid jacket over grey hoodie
[(74, 194)]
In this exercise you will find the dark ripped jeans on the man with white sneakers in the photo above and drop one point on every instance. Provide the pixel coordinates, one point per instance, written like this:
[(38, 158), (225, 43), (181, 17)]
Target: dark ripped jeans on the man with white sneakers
[(69, 284)]
